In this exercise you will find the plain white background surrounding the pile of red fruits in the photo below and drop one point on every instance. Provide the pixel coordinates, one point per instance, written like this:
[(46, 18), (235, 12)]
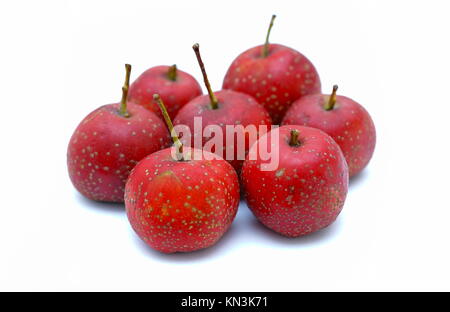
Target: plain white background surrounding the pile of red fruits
[(62, 59)]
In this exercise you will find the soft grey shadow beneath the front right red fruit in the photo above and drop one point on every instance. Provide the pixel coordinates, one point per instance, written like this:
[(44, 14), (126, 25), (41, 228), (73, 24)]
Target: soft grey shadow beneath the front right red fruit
[(314, 238)]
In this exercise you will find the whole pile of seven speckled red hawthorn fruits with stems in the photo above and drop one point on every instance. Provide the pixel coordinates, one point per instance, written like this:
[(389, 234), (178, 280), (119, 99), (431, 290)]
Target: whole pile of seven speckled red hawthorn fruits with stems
[(121, 152)]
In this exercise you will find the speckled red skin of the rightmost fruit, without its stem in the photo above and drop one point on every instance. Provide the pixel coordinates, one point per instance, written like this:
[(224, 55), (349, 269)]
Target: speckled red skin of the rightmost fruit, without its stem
[(348, 123)]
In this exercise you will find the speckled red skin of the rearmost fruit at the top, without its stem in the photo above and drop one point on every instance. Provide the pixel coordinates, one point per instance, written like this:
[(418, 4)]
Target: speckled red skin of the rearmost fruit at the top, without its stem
[(275, 81)]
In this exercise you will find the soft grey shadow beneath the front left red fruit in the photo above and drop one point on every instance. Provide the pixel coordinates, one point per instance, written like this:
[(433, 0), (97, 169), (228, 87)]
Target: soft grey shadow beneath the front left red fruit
[(192, 256)]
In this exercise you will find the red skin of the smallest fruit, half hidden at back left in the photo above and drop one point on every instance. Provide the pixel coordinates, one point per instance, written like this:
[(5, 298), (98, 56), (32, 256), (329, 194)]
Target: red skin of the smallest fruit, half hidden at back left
[(175, 94)]
